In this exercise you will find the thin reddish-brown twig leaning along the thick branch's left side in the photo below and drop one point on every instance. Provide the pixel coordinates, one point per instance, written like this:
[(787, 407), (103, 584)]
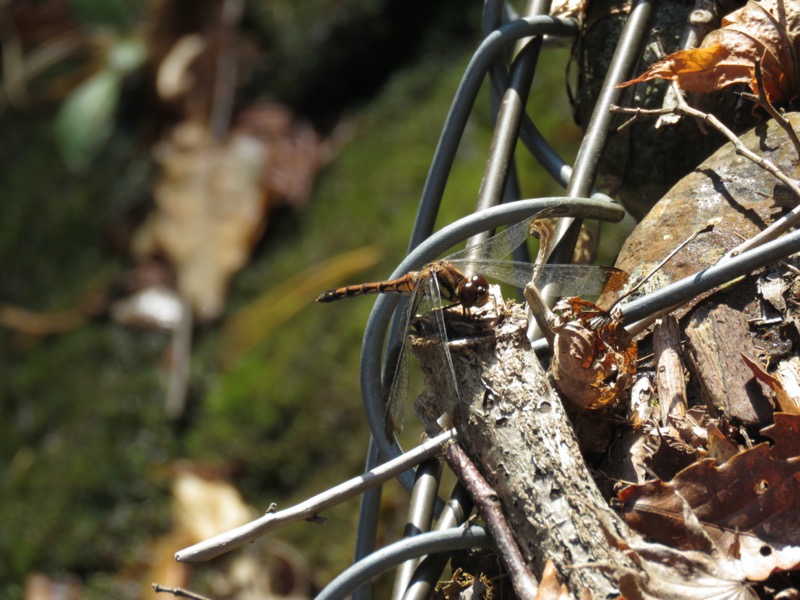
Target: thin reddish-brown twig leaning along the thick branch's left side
[(488, 506)]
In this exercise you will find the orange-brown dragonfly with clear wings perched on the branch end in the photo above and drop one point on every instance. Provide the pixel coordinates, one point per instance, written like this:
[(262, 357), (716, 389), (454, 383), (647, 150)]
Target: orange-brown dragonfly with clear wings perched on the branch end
[(461, 279)]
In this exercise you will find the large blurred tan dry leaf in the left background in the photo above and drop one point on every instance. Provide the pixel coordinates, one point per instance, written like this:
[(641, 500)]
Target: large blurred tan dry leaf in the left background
[(210, 211)]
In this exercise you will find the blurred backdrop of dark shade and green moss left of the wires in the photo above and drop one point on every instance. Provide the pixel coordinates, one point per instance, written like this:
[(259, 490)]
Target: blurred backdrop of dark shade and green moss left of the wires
[(88, 454)]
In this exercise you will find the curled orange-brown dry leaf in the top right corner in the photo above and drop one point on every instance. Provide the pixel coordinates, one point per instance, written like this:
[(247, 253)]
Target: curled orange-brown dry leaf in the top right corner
[(766, 31)]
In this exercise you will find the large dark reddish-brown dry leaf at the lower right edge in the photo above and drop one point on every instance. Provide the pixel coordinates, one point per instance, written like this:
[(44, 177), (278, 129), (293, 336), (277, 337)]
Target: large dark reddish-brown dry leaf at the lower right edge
[(748, 507)]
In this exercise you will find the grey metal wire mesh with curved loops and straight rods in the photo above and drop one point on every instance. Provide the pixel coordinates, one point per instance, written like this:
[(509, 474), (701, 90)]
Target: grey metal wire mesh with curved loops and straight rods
[(519, 37)]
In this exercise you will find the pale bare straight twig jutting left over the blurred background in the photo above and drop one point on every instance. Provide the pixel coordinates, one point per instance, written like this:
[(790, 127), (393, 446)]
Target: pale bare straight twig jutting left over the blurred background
[(235, 538)]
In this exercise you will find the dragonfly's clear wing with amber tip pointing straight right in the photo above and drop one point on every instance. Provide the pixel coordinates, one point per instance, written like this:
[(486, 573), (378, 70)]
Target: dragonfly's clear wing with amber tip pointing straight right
[(563, 280)]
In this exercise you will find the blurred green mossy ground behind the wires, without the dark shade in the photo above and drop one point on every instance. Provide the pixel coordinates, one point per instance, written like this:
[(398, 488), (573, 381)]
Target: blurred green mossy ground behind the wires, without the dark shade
[(85, 442)]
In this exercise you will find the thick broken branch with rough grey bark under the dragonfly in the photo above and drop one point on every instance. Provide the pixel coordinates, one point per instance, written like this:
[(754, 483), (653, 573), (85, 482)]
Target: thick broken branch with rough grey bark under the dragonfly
[(513, 426)]
